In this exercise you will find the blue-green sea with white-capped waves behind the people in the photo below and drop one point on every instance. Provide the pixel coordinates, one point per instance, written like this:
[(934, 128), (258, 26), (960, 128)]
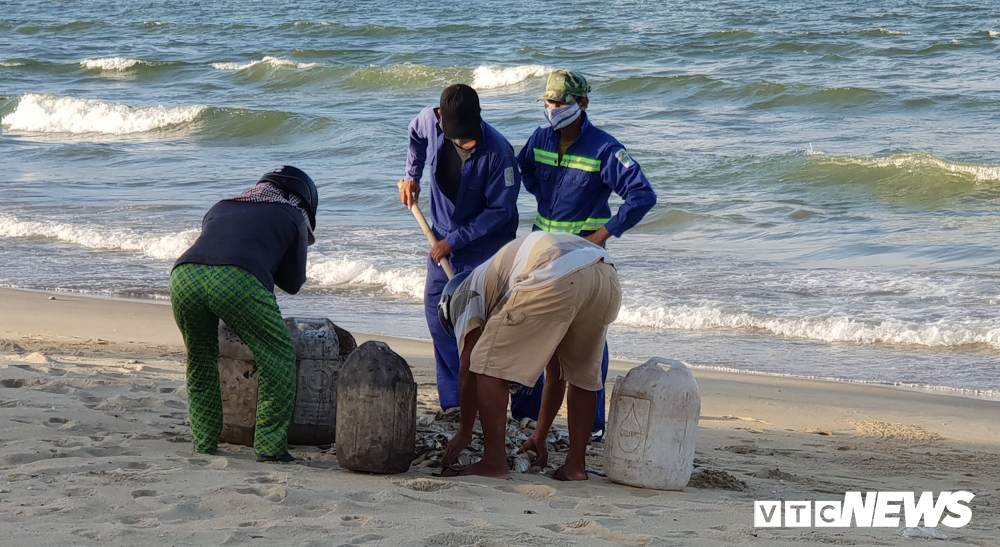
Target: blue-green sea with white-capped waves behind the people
[(828, 175)]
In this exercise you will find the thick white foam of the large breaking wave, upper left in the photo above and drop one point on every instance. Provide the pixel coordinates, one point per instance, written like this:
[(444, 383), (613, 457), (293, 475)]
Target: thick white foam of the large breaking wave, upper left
[(52, 114)]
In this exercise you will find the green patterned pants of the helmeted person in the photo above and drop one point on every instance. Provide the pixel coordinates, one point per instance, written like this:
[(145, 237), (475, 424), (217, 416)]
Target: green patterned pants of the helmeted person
[(201, 295)]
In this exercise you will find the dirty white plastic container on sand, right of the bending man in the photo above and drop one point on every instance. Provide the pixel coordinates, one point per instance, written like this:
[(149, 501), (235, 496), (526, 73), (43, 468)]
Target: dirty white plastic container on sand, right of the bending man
[(653, 426)]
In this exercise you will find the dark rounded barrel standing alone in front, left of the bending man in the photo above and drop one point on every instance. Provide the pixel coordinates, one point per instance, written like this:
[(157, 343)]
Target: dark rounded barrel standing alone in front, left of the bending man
[(376, 411)]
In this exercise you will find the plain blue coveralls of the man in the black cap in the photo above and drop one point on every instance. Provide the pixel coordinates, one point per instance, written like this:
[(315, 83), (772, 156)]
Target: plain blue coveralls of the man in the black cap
[(476, 225)]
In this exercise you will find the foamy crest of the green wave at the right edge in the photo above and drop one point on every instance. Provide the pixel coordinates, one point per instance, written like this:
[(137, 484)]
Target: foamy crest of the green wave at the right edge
[(918, 163)]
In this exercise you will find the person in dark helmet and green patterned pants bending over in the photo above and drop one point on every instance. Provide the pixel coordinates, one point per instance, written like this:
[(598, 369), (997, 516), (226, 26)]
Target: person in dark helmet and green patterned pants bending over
[(248, 244)]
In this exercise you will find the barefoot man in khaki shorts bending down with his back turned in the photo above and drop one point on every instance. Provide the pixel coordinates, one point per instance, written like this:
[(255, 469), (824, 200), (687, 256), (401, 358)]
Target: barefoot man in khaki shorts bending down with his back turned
[(542, 303)]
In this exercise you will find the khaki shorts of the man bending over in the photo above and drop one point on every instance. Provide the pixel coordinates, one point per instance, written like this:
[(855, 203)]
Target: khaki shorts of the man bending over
[(568, 319)]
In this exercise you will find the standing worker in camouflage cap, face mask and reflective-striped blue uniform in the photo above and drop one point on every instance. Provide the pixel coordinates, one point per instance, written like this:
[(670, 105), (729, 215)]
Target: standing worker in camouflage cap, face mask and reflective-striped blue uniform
[(571, 167)]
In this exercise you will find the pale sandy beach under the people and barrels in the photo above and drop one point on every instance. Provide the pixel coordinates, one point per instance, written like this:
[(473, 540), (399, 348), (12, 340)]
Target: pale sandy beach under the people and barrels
[(95, 450)]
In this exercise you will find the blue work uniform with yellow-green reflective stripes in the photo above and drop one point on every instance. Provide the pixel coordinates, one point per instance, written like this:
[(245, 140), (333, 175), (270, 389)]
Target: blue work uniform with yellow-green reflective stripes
[(572, 192)]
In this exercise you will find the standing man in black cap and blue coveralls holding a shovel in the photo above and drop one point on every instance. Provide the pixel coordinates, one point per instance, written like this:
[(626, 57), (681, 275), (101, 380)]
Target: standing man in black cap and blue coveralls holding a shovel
[(474, 188)]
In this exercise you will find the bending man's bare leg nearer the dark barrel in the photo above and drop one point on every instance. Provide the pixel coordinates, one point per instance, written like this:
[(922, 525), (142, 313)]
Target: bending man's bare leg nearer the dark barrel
[(493, 398)]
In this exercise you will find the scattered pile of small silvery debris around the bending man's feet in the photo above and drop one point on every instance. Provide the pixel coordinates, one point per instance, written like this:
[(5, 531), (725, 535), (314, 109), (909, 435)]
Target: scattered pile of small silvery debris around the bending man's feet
[(434, 434)]
